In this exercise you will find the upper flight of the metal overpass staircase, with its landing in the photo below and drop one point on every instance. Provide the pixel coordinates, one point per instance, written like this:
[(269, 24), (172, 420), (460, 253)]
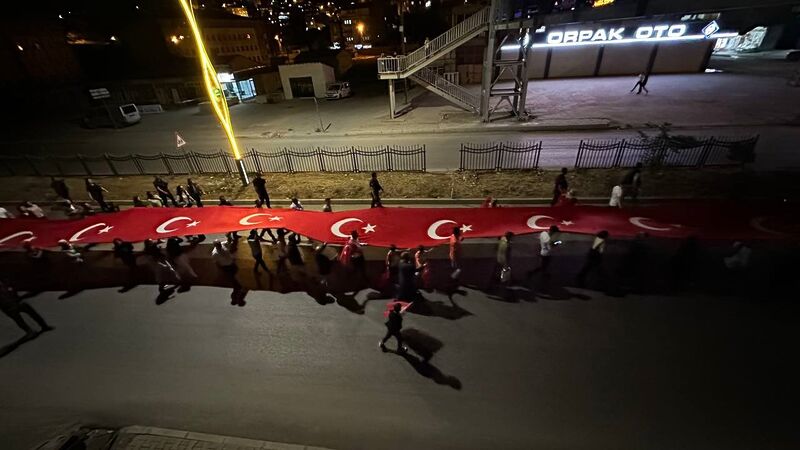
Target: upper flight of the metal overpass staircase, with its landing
[(403, 66)]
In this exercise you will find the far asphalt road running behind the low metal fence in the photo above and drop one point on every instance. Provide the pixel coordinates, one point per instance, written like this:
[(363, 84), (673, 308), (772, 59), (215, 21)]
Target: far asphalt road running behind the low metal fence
[(775, 149)]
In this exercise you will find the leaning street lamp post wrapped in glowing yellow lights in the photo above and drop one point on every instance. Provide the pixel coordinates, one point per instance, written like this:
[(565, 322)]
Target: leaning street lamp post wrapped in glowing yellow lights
[(214, 90)]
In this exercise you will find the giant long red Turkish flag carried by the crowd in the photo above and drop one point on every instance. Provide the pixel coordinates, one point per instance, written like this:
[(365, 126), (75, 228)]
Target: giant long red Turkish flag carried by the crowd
[(410, 227)]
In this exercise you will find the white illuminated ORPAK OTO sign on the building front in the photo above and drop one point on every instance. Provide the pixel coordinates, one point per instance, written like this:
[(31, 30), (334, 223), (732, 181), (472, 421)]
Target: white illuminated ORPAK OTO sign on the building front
[(624, 33)]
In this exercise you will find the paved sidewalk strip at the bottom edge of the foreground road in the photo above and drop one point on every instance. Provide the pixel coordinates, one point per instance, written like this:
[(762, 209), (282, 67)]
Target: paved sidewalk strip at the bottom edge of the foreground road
[(152, 438)]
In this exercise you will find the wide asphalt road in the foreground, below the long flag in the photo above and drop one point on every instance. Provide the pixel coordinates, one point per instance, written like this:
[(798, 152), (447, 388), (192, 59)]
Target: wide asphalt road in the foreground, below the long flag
[(591, 373)]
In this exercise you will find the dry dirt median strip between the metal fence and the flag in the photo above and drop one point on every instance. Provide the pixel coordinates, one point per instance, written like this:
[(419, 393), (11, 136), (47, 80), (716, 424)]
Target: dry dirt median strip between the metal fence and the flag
[(672, 182)]
